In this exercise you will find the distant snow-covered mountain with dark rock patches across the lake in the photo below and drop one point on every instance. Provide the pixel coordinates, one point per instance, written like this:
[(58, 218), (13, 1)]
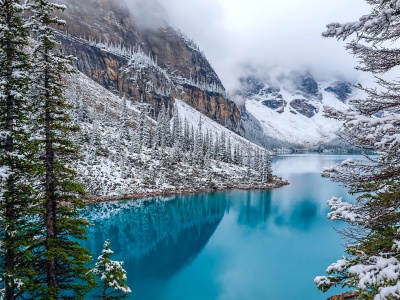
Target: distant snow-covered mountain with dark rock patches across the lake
[(289, 109)]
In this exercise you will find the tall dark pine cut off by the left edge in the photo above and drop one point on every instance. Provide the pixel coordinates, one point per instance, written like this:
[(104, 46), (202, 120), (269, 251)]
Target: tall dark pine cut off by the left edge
[(19, 206)]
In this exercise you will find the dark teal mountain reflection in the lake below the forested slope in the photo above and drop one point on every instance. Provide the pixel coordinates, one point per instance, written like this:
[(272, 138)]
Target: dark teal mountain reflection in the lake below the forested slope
[(155, 238)]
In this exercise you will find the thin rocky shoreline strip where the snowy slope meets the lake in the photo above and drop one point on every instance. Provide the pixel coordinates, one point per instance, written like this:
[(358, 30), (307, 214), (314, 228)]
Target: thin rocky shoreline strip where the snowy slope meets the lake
[(277, 183)]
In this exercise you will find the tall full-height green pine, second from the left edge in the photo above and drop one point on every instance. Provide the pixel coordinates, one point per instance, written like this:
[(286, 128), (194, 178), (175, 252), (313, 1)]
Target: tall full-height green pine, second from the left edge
[(63, 273)]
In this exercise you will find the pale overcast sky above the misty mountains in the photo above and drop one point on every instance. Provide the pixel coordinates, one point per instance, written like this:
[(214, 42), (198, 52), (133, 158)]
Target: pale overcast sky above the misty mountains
[(283, 33)]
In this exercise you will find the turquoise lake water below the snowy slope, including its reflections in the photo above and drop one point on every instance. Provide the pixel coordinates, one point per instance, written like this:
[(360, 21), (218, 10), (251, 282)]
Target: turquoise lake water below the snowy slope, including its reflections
[(234, 245)]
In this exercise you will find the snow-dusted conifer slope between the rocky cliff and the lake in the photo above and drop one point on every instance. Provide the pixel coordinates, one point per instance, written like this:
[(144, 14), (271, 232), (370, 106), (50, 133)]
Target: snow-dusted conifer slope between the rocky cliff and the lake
[(124, 152)]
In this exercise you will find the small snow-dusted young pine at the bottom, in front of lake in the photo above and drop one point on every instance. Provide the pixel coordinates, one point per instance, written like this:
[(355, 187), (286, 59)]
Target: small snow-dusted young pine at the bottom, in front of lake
[(112, 275)]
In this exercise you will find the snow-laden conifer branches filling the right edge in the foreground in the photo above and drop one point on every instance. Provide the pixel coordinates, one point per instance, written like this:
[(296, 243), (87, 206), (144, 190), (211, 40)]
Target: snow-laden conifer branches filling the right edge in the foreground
[(373, 237)]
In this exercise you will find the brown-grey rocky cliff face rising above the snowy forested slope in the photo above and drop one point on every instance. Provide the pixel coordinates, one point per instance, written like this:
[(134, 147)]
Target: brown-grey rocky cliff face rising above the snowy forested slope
[(153, 63)]
